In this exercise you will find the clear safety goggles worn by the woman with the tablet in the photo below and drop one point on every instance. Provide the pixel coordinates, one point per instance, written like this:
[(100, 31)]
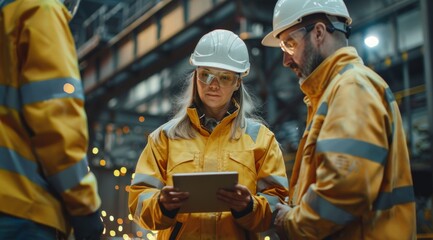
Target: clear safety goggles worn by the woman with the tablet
[(224, 79)]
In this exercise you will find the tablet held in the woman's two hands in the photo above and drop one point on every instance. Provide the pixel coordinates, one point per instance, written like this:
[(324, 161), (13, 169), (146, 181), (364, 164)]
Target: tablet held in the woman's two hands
[(202, 188)]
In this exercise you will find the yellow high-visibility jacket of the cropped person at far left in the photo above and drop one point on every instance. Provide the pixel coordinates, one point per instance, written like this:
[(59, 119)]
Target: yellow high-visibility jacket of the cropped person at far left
[(43, 127)]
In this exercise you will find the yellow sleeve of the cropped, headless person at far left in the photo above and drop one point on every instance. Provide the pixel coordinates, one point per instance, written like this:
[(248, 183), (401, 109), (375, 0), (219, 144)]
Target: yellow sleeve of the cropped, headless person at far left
[(52, 100)]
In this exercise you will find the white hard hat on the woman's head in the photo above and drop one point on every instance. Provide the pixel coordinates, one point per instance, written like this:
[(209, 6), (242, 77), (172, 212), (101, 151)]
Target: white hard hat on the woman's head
[(222, 49)]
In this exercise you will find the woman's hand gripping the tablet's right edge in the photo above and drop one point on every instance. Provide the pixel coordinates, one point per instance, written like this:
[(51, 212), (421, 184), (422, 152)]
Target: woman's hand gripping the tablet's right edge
[(237, 198)]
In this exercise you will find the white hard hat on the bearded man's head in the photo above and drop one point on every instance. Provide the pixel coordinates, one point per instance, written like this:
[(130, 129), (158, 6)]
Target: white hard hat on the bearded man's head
[(288, 13)]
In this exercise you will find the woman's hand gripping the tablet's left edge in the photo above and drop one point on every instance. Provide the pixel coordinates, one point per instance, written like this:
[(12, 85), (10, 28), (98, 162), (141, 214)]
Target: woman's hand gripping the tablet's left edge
[(171, 198)]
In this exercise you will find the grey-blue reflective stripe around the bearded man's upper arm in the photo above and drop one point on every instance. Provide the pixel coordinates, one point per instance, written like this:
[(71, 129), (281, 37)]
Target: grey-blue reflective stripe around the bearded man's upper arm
[(353, 147)]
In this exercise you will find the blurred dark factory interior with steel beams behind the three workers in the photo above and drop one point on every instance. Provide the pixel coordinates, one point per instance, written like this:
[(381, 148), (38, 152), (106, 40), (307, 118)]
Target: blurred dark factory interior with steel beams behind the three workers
[(133, 55)]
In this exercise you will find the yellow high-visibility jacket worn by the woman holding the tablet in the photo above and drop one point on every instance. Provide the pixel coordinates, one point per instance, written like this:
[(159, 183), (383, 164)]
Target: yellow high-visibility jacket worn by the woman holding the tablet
[(256, 156)]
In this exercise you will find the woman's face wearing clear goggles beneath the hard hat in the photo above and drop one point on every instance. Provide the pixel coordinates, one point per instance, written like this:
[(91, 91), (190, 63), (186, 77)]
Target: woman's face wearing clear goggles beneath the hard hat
[(215, 88)]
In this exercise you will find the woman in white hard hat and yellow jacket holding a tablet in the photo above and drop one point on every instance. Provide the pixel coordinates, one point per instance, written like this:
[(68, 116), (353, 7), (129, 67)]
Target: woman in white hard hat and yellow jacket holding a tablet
[(213, 131)]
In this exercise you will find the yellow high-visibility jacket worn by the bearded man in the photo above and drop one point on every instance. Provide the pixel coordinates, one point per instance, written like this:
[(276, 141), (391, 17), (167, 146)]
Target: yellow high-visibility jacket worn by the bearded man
[(351, 178)]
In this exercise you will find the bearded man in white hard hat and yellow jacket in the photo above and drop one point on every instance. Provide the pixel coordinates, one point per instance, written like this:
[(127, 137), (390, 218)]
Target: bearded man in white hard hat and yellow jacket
[(351, 178)]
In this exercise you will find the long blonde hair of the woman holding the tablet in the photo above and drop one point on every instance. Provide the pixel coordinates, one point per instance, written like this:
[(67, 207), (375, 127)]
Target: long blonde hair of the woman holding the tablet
[(180, 126)]
